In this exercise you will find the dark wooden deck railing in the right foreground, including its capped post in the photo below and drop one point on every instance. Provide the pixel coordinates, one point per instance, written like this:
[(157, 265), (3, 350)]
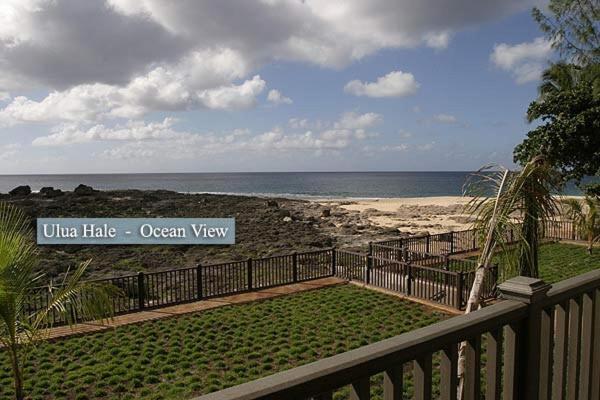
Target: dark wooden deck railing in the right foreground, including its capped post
[(541, 342)]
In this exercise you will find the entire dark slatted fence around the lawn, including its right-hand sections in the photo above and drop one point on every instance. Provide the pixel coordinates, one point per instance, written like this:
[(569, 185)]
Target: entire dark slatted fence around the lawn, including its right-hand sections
[(427, 267)]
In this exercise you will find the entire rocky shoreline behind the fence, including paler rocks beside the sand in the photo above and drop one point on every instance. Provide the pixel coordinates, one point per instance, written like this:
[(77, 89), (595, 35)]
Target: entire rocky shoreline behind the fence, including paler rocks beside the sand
[(264, 227)]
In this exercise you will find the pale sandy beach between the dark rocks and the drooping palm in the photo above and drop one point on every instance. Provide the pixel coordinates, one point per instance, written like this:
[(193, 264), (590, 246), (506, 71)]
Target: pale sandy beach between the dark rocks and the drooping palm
[(411, 214)]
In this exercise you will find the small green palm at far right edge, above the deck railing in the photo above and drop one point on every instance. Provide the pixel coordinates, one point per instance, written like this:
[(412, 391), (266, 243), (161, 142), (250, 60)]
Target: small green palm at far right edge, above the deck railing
[(586, 218)]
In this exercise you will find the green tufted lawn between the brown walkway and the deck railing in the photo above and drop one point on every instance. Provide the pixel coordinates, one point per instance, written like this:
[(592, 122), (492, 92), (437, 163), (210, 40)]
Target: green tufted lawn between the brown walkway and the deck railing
[(208, 351)]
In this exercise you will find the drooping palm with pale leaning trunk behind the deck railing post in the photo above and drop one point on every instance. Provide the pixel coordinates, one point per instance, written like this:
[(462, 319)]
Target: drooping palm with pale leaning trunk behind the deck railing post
[(522, 202)]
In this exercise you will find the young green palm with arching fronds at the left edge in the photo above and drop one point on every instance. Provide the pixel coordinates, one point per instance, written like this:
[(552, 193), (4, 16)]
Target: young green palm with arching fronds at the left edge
[(20, 329)]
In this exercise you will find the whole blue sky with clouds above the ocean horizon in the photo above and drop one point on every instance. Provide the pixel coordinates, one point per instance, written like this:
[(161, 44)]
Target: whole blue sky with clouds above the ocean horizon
[(265, 85)]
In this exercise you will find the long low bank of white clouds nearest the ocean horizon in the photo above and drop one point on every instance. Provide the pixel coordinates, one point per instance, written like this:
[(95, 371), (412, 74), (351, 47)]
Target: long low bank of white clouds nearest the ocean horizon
[(139, 139)]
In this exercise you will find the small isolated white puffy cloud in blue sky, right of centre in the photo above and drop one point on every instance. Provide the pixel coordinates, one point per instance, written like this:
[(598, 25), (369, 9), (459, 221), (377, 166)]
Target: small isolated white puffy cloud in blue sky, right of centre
[(394, 84)]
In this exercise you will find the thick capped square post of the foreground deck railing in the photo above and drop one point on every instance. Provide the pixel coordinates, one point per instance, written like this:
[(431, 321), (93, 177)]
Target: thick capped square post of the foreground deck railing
[(527, 376)]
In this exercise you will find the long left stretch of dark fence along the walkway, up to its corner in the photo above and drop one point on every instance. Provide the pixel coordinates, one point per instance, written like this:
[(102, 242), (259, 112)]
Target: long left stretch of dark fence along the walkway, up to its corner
[(157, 289)]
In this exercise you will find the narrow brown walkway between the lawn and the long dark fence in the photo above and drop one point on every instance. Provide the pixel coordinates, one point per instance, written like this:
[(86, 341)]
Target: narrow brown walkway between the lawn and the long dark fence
[(187, 308)]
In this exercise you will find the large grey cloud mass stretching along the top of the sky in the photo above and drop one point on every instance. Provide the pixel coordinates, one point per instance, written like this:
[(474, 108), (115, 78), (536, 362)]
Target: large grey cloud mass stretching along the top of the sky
[(63, 43)]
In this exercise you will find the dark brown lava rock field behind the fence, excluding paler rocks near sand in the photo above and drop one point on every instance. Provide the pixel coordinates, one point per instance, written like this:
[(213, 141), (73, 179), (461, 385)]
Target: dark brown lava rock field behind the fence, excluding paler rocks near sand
[(260, 231)]
